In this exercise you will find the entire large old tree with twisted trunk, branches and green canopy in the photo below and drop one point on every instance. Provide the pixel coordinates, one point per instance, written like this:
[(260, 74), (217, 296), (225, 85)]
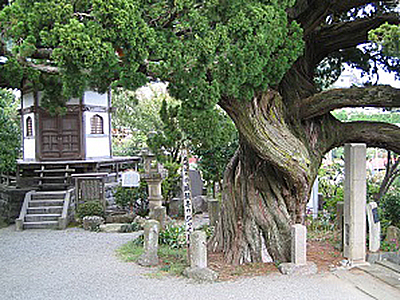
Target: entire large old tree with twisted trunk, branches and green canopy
[(256, 59)]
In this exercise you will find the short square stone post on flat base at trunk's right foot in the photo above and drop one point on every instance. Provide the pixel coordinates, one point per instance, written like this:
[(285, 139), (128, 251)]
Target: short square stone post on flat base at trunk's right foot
[(299, 265)]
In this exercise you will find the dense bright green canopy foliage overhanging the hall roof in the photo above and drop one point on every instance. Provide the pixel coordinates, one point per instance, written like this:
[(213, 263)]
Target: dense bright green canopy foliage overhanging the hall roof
[(231, 48)]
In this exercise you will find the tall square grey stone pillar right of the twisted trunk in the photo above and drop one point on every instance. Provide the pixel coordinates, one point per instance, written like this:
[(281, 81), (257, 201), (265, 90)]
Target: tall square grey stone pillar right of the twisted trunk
[(355, 190)]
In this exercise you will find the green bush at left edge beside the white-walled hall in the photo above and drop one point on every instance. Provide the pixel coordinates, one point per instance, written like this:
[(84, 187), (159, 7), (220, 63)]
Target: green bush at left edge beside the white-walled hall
[(10, 140)]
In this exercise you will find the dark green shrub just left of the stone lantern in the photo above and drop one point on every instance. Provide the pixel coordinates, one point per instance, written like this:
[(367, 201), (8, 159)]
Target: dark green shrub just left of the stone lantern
[(134, 198)]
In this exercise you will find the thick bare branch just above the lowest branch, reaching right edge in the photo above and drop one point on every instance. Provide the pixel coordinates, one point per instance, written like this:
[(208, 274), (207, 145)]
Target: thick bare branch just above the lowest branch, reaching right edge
[(373, 96)]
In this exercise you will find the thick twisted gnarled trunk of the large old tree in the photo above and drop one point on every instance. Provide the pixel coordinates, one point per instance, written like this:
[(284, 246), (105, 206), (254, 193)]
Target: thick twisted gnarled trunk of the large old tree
[(267, 183)]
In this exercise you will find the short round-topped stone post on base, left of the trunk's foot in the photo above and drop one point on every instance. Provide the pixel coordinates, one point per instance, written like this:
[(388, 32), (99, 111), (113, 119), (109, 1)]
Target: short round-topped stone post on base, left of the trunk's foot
[(198, 259)]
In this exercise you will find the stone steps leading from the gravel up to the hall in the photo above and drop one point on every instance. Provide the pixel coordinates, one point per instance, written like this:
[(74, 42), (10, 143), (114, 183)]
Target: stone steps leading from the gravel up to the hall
[(44, 210)]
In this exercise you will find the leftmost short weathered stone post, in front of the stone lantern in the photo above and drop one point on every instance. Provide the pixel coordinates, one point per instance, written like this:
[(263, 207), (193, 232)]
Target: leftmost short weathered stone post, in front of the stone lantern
[(151, 231)]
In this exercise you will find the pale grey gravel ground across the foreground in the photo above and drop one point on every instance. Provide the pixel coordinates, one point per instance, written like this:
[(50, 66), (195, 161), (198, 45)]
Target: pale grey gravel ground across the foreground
[(76, 264)]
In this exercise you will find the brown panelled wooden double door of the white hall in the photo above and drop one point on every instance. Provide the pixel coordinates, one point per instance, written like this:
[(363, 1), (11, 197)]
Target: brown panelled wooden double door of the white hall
[(60, 137)]
